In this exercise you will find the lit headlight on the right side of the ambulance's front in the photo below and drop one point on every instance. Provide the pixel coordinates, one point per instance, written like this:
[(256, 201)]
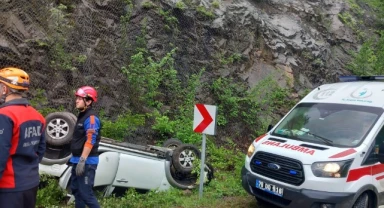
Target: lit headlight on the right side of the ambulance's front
[(335, 169)]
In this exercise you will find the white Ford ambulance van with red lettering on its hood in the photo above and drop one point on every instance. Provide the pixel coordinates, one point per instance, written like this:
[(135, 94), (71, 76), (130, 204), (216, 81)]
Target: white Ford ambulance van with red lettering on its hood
[(326, 152)]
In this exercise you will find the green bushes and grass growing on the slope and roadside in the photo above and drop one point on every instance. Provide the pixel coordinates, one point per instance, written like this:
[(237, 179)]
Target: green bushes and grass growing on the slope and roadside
[(253, 109)]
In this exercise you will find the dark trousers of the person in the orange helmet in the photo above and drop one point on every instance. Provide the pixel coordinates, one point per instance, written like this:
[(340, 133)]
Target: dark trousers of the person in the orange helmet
[(19, 199)]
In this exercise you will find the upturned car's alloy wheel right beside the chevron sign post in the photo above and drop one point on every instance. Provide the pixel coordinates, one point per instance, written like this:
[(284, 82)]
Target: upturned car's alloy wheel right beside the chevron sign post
[(183, 157)]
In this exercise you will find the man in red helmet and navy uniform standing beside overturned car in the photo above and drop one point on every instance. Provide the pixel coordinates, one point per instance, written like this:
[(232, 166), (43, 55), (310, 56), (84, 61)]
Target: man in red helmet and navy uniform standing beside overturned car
[(84, 148)]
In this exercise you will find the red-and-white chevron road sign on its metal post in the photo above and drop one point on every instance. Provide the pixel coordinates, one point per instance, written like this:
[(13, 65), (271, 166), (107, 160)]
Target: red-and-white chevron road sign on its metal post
[(204, 122)]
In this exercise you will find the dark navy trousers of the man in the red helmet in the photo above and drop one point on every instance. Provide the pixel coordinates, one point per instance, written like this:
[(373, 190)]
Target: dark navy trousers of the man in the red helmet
[(82, 187)]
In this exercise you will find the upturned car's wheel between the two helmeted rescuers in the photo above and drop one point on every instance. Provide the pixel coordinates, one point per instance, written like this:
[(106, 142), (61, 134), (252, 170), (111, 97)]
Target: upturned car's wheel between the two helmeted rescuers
[(59, 128)]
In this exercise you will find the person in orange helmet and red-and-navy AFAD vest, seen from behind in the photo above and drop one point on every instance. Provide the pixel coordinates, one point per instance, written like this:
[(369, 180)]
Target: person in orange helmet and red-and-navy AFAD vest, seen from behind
[(22, 142)]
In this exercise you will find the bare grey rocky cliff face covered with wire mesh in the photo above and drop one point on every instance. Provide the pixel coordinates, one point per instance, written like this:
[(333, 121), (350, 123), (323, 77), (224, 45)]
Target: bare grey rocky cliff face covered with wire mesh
[(300, 43)]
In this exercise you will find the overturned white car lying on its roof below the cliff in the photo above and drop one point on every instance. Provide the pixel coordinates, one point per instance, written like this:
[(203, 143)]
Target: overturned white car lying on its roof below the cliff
[(122, 164)]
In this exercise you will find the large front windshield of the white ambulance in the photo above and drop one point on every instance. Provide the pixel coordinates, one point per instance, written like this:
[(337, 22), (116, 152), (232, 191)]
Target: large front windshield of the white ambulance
[(329, 124)]
